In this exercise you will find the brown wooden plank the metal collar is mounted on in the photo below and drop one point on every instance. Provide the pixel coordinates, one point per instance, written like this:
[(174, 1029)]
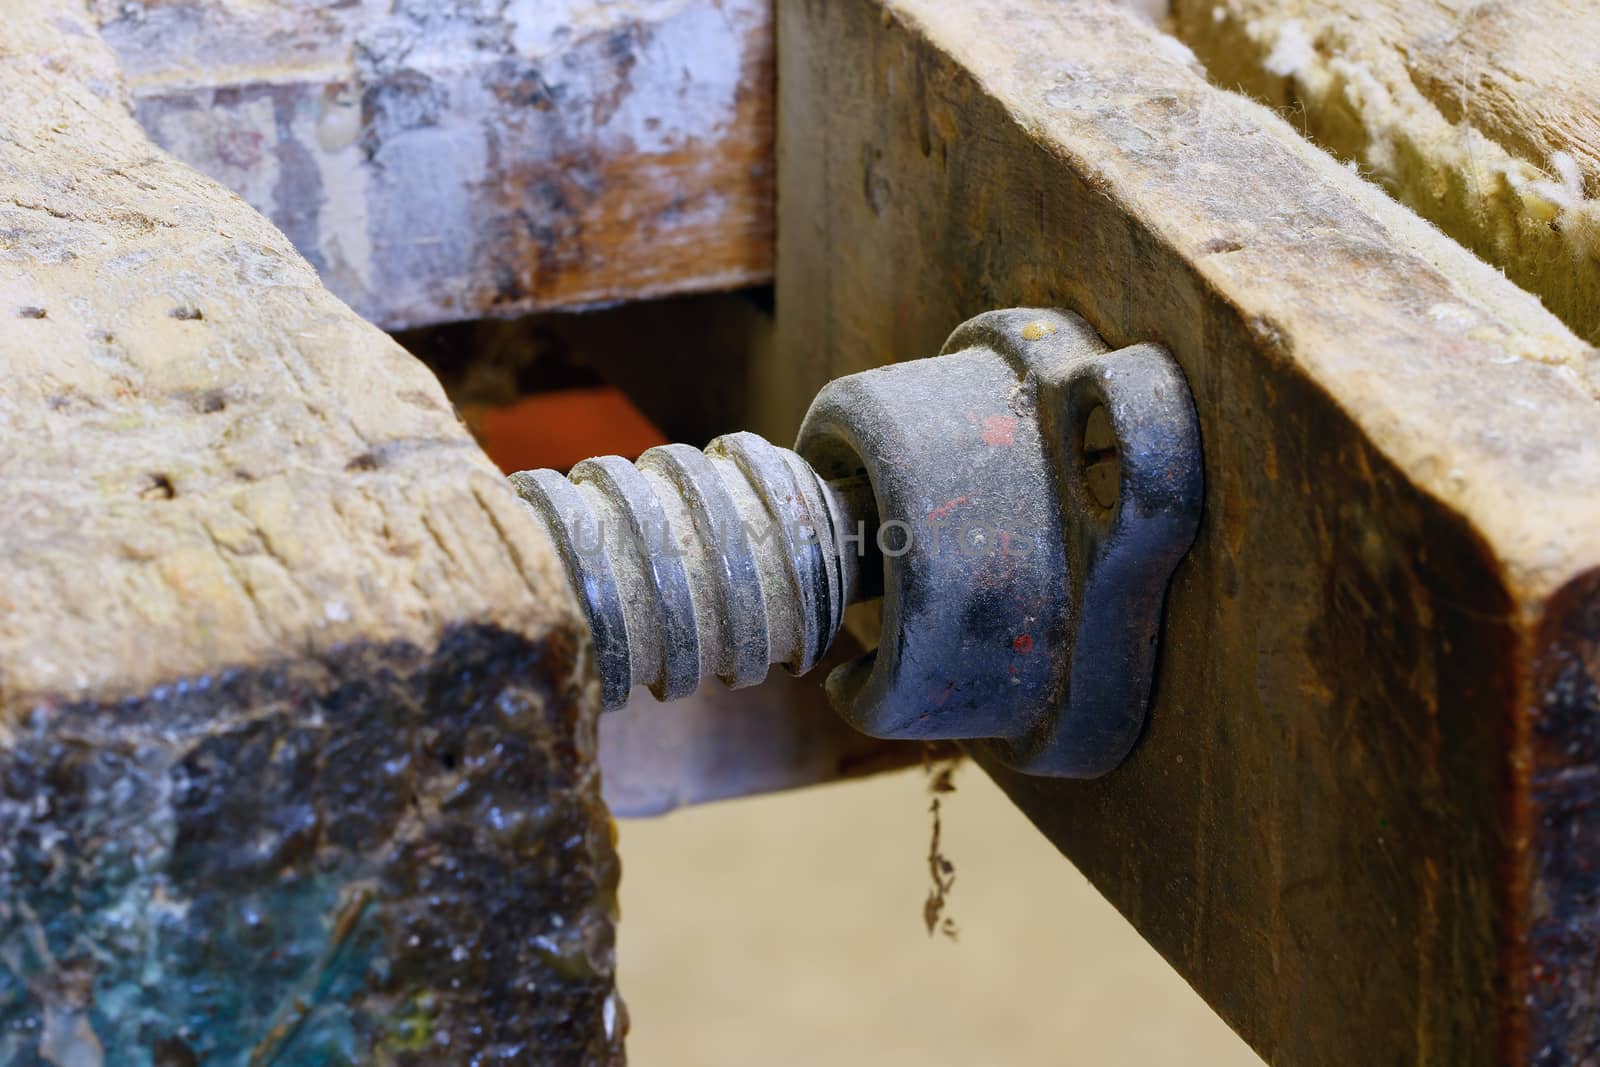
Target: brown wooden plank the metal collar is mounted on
[(1366, 813)]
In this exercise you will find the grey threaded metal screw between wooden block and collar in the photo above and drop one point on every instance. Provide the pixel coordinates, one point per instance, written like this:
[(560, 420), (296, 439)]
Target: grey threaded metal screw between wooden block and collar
[(695, 564)]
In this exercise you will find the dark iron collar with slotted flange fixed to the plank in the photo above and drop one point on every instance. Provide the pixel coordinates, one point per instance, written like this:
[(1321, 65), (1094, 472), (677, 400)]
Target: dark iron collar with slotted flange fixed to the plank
[(1036, 492)]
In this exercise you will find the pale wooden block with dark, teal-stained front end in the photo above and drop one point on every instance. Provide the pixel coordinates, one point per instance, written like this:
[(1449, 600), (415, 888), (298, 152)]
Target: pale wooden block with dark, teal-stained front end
[(297, 745)]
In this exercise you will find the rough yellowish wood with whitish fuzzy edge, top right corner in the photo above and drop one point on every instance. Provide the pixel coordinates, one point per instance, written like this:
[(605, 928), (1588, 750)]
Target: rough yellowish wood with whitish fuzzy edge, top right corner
[(1481, 116)]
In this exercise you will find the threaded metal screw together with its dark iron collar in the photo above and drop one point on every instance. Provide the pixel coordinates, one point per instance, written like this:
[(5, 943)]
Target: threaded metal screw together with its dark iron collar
[(1018, 502)]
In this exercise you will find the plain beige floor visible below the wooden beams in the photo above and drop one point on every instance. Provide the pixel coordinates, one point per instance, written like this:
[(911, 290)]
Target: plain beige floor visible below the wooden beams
[(788, 930)]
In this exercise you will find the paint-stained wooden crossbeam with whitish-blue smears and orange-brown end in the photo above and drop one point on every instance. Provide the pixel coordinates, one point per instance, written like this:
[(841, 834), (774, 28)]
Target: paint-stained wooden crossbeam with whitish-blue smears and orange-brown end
[(450, 161)]
